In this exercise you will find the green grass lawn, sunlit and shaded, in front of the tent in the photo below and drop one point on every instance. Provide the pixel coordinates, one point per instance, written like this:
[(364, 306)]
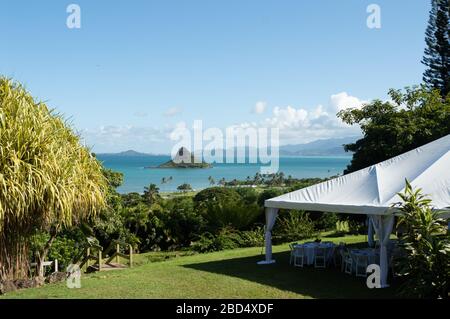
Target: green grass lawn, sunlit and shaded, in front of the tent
[(226, 274)]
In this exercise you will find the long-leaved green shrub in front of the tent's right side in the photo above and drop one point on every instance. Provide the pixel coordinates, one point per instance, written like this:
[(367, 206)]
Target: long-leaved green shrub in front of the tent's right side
[(426, 264)]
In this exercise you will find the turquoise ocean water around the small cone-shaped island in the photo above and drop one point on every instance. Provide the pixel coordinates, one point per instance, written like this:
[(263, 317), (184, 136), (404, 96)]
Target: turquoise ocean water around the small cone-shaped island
[(136, 176)]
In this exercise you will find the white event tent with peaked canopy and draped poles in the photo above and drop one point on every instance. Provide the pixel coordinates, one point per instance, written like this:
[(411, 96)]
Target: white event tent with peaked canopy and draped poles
[(373, 191)]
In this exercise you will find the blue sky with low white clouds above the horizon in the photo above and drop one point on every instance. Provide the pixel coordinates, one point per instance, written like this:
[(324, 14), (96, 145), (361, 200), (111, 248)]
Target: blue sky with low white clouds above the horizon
[(136, 69)]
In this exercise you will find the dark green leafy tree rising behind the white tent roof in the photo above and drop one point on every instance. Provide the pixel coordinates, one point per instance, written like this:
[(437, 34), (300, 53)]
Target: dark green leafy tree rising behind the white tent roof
[(413, 118)]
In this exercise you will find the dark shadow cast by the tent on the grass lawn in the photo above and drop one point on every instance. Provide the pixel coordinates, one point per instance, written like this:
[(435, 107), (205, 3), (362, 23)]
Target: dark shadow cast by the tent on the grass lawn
[(307, 281)]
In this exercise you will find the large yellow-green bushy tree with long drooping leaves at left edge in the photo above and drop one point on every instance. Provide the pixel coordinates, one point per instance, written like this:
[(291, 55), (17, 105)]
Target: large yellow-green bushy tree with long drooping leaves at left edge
[(48, 179)]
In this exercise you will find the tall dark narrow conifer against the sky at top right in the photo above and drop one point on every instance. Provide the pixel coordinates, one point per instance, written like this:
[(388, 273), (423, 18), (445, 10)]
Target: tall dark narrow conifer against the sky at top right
[(437, 51)]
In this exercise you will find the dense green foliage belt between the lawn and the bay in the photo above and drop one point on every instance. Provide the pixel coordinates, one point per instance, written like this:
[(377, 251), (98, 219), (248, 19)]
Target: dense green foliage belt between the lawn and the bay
[(215, 218)]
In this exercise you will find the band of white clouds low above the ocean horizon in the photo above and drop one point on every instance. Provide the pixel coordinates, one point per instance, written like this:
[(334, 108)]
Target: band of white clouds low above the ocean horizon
[(296, 125)]
